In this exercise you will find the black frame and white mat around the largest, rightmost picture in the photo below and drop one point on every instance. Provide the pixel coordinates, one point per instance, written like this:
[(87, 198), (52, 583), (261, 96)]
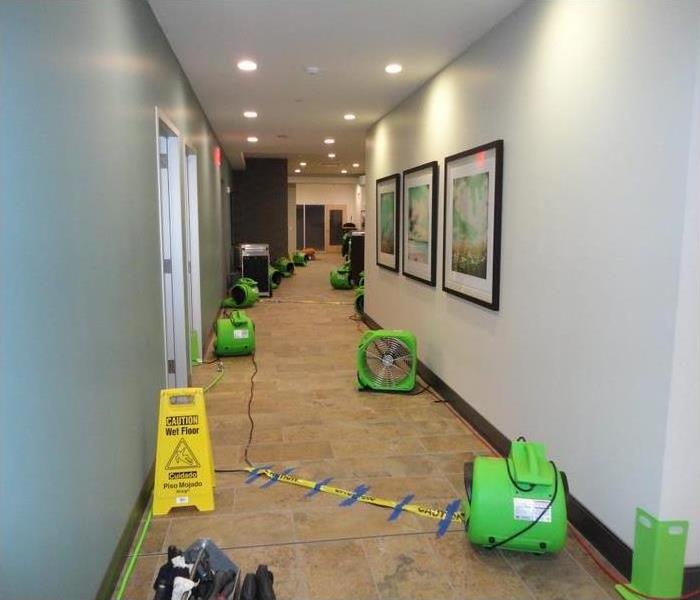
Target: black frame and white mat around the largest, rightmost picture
[(493, 153)]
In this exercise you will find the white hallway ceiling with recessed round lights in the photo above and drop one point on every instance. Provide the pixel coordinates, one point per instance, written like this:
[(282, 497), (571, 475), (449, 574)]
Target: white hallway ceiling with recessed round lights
[(350, 40)]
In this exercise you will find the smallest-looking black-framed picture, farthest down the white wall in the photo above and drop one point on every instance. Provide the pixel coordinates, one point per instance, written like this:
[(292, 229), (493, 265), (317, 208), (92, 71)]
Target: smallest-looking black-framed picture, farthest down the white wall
[(388, 219)]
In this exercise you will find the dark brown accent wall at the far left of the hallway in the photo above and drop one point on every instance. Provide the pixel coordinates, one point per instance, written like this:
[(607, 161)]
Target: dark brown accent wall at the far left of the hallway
[(259, 204)]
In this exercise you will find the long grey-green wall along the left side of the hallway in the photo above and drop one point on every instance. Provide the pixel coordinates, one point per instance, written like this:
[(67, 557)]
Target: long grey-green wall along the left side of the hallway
[(82, 342)]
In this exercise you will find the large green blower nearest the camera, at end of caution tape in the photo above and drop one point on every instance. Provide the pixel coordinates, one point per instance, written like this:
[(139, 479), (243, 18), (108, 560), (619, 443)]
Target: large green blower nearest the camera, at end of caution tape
[(517, 503)]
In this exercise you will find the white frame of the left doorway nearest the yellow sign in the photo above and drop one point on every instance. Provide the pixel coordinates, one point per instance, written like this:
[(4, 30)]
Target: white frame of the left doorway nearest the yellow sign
[(176, 364)]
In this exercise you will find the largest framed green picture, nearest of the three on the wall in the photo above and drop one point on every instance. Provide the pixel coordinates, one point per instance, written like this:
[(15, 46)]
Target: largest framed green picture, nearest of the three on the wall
[(471, 253)]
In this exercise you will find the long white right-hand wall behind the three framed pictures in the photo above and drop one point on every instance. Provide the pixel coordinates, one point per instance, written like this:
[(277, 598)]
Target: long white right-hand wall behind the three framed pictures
[(594, 103)]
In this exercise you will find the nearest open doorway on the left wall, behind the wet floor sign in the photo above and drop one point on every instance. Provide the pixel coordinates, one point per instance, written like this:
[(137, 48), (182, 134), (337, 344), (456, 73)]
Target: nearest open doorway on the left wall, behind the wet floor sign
[(168, 153)]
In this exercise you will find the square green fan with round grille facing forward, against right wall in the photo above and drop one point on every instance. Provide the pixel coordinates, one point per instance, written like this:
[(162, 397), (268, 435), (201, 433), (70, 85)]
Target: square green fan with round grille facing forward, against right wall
[(386, 360)]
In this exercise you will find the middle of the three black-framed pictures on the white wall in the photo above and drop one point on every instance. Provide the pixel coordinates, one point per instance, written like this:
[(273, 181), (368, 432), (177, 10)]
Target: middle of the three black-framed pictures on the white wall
[(419, 223)]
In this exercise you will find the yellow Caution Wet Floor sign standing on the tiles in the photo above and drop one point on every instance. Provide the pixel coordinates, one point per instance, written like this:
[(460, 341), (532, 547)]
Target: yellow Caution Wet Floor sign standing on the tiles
[(184, 469)]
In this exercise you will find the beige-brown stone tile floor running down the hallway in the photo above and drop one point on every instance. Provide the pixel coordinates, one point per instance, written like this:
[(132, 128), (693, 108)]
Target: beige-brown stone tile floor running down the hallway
[(308, 415)]
